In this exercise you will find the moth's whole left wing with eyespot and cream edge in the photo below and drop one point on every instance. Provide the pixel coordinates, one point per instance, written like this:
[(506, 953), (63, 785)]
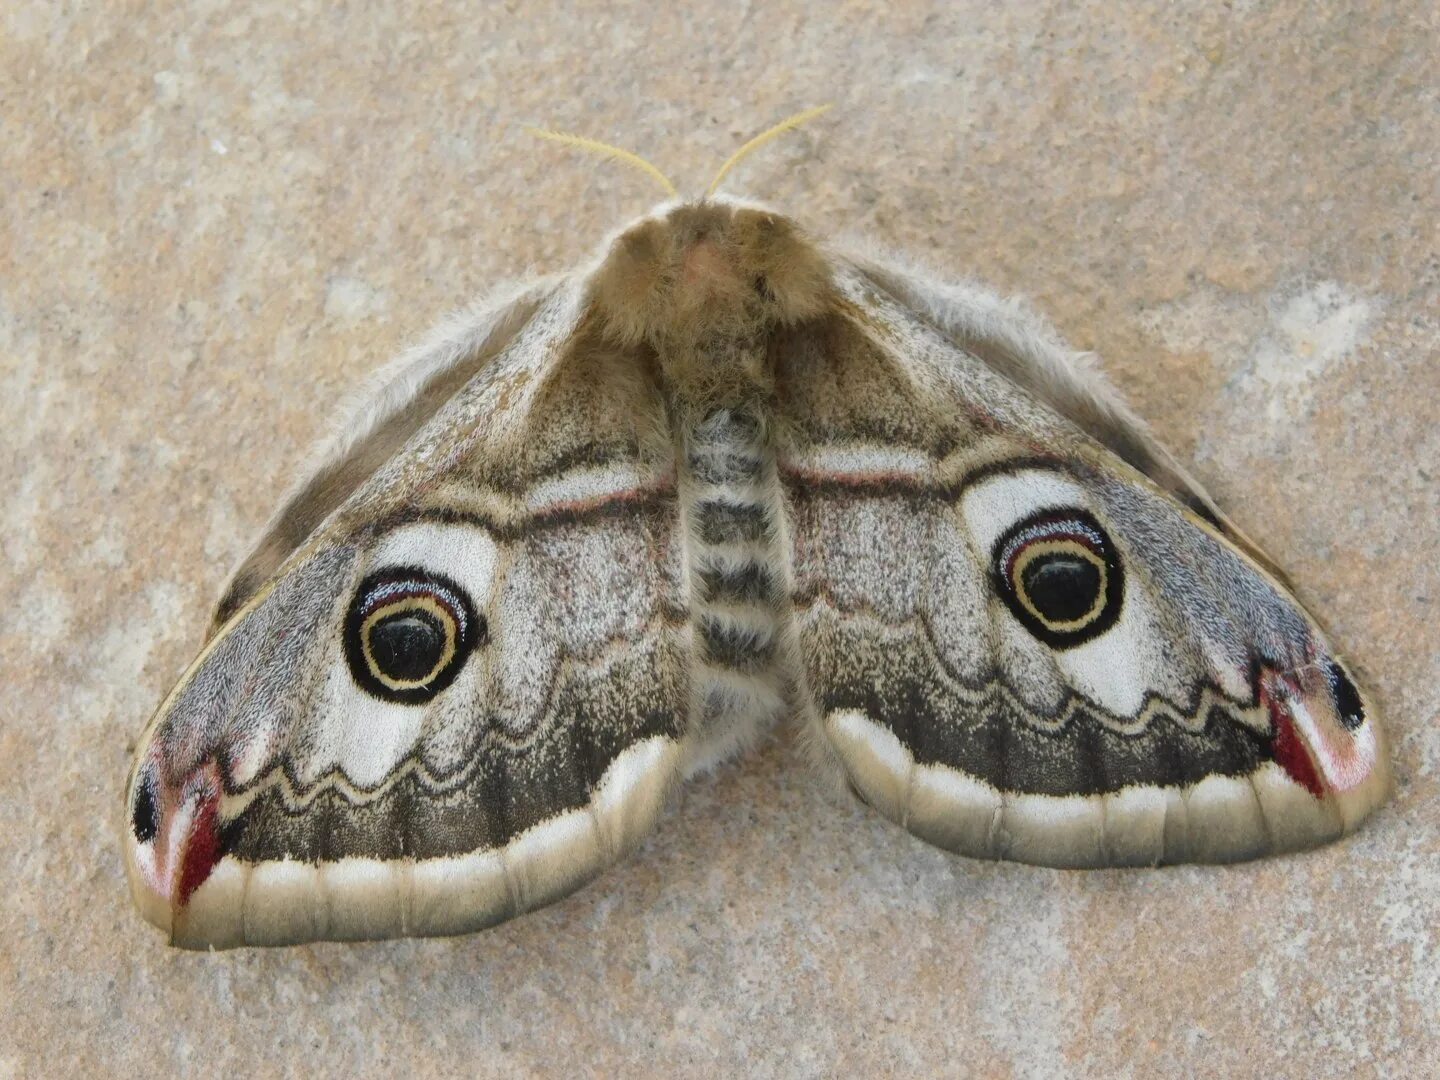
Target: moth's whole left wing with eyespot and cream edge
[(462, 693)]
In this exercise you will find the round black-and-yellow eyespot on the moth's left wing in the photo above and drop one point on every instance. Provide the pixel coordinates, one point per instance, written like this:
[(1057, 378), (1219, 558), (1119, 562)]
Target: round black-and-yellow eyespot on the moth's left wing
[(410, 633)]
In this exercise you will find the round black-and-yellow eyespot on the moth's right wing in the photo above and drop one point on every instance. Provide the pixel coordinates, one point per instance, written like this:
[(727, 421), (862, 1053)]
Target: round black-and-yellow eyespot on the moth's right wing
[(1061, 577)]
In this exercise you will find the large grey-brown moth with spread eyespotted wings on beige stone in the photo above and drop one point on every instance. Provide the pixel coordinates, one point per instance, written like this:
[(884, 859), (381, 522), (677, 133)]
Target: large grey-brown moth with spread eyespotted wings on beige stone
[(598, 536)]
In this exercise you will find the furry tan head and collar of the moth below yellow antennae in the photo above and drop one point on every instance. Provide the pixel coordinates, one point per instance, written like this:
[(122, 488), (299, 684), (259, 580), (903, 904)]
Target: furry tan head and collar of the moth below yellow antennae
[(712, 267)]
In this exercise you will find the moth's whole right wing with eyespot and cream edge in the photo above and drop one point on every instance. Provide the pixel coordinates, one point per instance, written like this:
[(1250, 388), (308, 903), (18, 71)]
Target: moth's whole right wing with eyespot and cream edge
[(1026, 633)]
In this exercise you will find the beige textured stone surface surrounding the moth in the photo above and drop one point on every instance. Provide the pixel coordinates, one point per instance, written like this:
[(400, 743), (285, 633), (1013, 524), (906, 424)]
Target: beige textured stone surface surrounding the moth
[(217, 220)]
